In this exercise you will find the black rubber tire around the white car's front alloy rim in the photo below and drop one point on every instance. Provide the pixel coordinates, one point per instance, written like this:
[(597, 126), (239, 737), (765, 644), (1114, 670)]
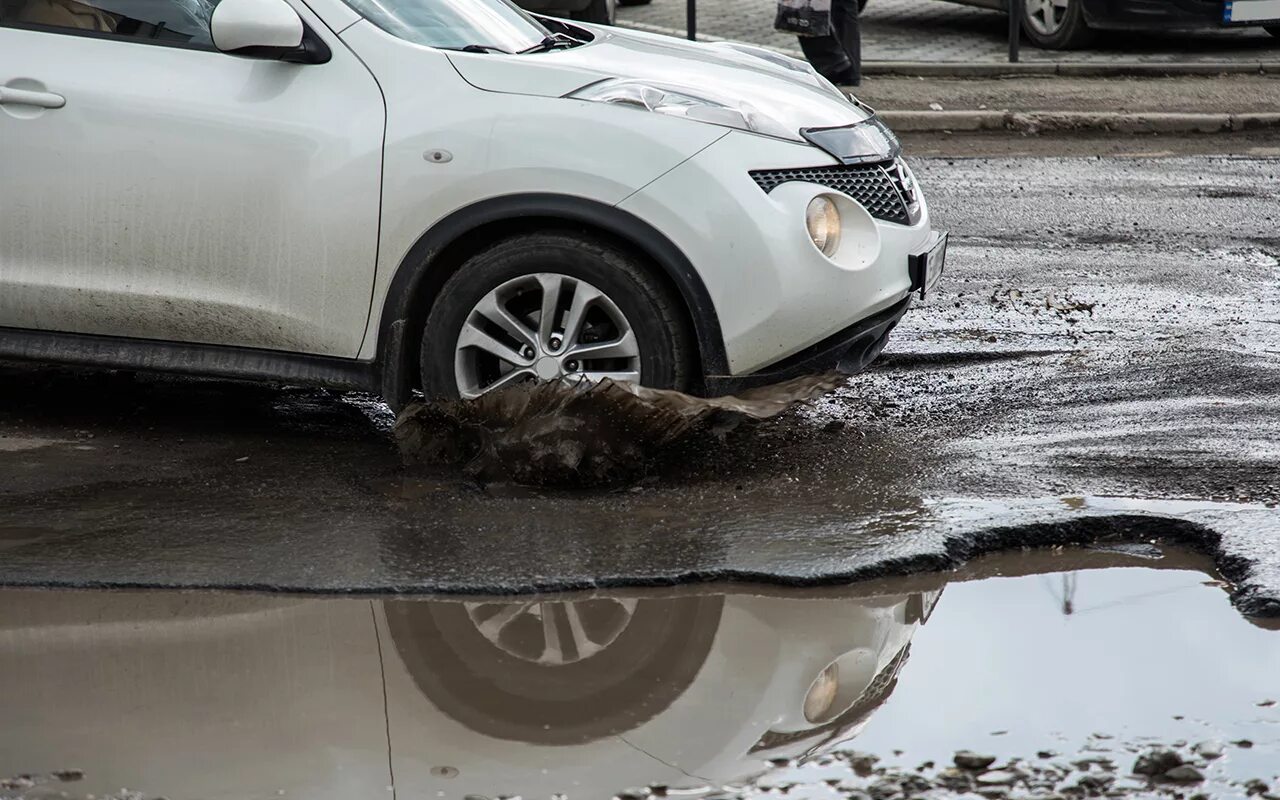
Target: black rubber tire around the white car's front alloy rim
[(650, 307)]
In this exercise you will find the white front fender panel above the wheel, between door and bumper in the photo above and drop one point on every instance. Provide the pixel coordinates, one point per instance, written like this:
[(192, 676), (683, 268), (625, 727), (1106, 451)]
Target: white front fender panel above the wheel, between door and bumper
[(525, 145)]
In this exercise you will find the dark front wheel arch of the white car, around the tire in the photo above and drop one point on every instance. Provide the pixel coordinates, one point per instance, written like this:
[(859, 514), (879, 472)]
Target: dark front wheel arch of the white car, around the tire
[(438, 254)]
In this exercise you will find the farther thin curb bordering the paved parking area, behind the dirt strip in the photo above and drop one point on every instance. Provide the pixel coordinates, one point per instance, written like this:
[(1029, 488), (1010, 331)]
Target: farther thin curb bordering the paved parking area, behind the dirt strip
[(1132, 70)]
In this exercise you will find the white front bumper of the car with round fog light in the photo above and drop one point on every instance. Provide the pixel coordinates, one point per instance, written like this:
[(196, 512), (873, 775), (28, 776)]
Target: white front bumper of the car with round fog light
[(783, 307)]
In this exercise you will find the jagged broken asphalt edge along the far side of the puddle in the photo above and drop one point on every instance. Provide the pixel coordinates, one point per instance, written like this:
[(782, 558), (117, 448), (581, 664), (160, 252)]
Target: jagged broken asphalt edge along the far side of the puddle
[(1250, 598)]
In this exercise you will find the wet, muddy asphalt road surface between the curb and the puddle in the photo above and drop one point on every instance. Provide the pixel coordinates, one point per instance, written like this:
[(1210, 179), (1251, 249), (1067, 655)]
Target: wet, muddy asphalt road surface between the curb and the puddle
[(1101, 362)]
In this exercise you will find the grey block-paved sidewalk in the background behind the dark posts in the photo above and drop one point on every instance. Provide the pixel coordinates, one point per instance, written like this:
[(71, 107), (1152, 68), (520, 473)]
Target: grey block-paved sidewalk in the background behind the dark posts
[(934, 31)]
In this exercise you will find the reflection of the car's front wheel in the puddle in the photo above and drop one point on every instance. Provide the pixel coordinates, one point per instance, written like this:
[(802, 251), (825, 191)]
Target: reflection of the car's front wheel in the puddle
[(555, 673)]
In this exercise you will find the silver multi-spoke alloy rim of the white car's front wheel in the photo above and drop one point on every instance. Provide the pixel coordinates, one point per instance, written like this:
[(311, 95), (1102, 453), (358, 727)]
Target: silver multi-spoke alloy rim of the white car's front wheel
[(542, 328)]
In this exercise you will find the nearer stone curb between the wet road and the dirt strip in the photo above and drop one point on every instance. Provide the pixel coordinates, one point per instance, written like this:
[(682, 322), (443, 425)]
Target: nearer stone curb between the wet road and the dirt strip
[(1066, 122)]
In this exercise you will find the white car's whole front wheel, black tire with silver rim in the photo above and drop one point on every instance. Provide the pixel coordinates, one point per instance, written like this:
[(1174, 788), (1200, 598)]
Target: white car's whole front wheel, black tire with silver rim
[(552, 307)]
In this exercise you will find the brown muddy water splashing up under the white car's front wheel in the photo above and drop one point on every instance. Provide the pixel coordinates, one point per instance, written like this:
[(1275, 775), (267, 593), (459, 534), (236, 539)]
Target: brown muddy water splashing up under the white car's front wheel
[(580, 436)]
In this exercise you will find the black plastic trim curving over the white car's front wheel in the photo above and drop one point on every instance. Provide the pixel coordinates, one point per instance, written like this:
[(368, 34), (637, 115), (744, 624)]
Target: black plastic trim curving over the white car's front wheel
[(414, 271)]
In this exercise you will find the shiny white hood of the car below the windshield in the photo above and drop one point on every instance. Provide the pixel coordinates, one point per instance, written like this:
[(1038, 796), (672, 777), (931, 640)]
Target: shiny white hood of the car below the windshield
[(785, 89)]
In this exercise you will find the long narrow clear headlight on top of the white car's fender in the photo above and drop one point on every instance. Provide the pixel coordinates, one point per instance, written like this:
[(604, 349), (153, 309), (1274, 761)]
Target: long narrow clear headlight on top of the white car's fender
[(688, 103)]
